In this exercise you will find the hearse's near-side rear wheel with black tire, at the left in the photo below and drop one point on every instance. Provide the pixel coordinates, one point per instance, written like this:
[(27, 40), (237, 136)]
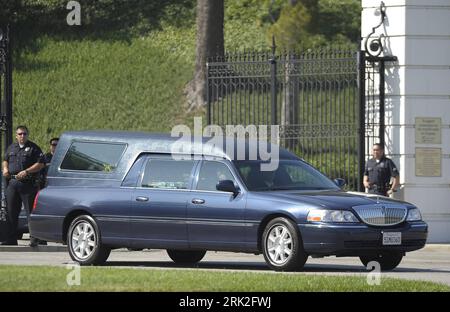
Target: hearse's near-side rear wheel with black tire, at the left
[(90, 251)]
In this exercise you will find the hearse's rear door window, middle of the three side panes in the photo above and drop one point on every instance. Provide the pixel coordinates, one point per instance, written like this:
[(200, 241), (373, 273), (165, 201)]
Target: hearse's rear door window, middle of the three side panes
[(167, 174)]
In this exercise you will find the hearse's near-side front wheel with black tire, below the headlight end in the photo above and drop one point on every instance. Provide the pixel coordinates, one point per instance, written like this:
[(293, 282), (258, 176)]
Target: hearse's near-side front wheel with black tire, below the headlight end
[(282, 246)]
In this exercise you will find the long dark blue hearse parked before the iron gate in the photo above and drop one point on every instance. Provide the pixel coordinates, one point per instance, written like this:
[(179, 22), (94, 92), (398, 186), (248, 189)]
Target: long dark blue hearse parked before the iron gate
[(110, 190)]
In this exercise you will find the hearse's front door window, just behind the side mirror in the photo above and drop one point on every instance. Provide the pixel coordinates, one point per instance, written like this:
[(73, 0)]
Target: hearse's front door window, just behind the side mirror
[(211, 173)]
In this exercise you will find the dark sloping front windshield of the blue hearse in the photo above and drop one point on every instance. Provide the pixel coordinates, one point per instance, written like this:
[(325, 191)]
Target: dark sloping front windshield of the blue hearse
[(290, 175)]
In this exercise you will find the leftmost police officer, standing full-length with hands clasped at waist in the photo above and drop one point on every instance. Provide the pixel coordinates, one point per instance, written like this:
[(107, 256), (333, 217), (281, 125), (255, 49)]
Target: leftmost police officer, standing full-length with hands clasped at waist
[(22, 161)]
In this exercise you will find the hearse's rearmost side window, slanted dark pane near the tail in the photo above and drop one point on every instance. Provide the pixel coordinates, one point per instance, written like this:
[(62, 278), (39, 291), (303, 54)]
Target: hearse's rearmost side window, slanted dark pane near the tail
[(93, 156)]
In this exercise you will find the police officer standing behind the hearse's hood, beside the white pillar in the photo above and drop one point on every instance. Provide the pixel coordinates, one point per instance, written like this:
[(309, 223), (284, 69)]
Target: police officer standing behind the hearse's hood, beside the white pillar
[(379, 171)]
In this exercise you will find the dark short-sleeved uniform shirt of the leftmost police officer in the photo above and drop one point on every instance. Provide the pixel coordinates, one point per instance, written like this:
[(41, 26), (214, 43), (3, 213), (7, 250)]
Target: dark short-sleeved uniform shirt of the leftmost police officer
[(23, 158)]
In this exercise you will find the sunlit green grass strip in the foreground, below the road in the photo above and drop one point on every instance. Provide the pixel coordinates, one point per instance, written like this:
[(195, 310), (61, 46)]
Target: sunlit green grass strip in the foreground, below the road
[(44, 278)]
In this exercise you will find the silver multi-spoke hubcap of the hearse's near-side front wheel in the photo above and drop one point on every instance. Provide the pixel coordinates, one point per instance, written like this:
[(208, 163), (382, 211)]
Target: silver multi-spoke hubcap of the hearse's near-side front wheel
[(279, 244)]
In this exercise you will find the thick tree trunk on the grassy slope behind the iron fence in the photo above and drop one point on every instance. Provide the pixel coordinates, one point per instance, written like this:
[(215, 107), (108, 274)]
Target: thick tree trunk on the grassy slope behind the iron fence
[(210, 40)]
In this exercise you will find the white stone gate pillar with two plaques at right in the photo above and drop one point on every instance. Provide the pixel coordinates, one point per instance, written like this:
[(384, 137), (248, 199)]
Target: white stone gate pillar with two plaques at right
[(418, 87)]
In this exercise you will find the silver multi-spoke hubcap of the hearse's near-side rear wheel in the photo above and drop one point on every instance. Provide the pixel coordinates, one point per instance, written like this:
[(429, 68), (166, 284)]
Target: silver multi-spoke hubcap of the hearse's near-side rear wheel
[(84, 240)]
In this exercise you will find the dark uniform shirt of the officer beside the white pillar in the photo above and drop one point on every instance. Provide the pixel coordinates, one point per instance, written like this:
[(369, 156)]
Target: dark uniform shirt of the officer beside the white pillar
[(380, 173)]
